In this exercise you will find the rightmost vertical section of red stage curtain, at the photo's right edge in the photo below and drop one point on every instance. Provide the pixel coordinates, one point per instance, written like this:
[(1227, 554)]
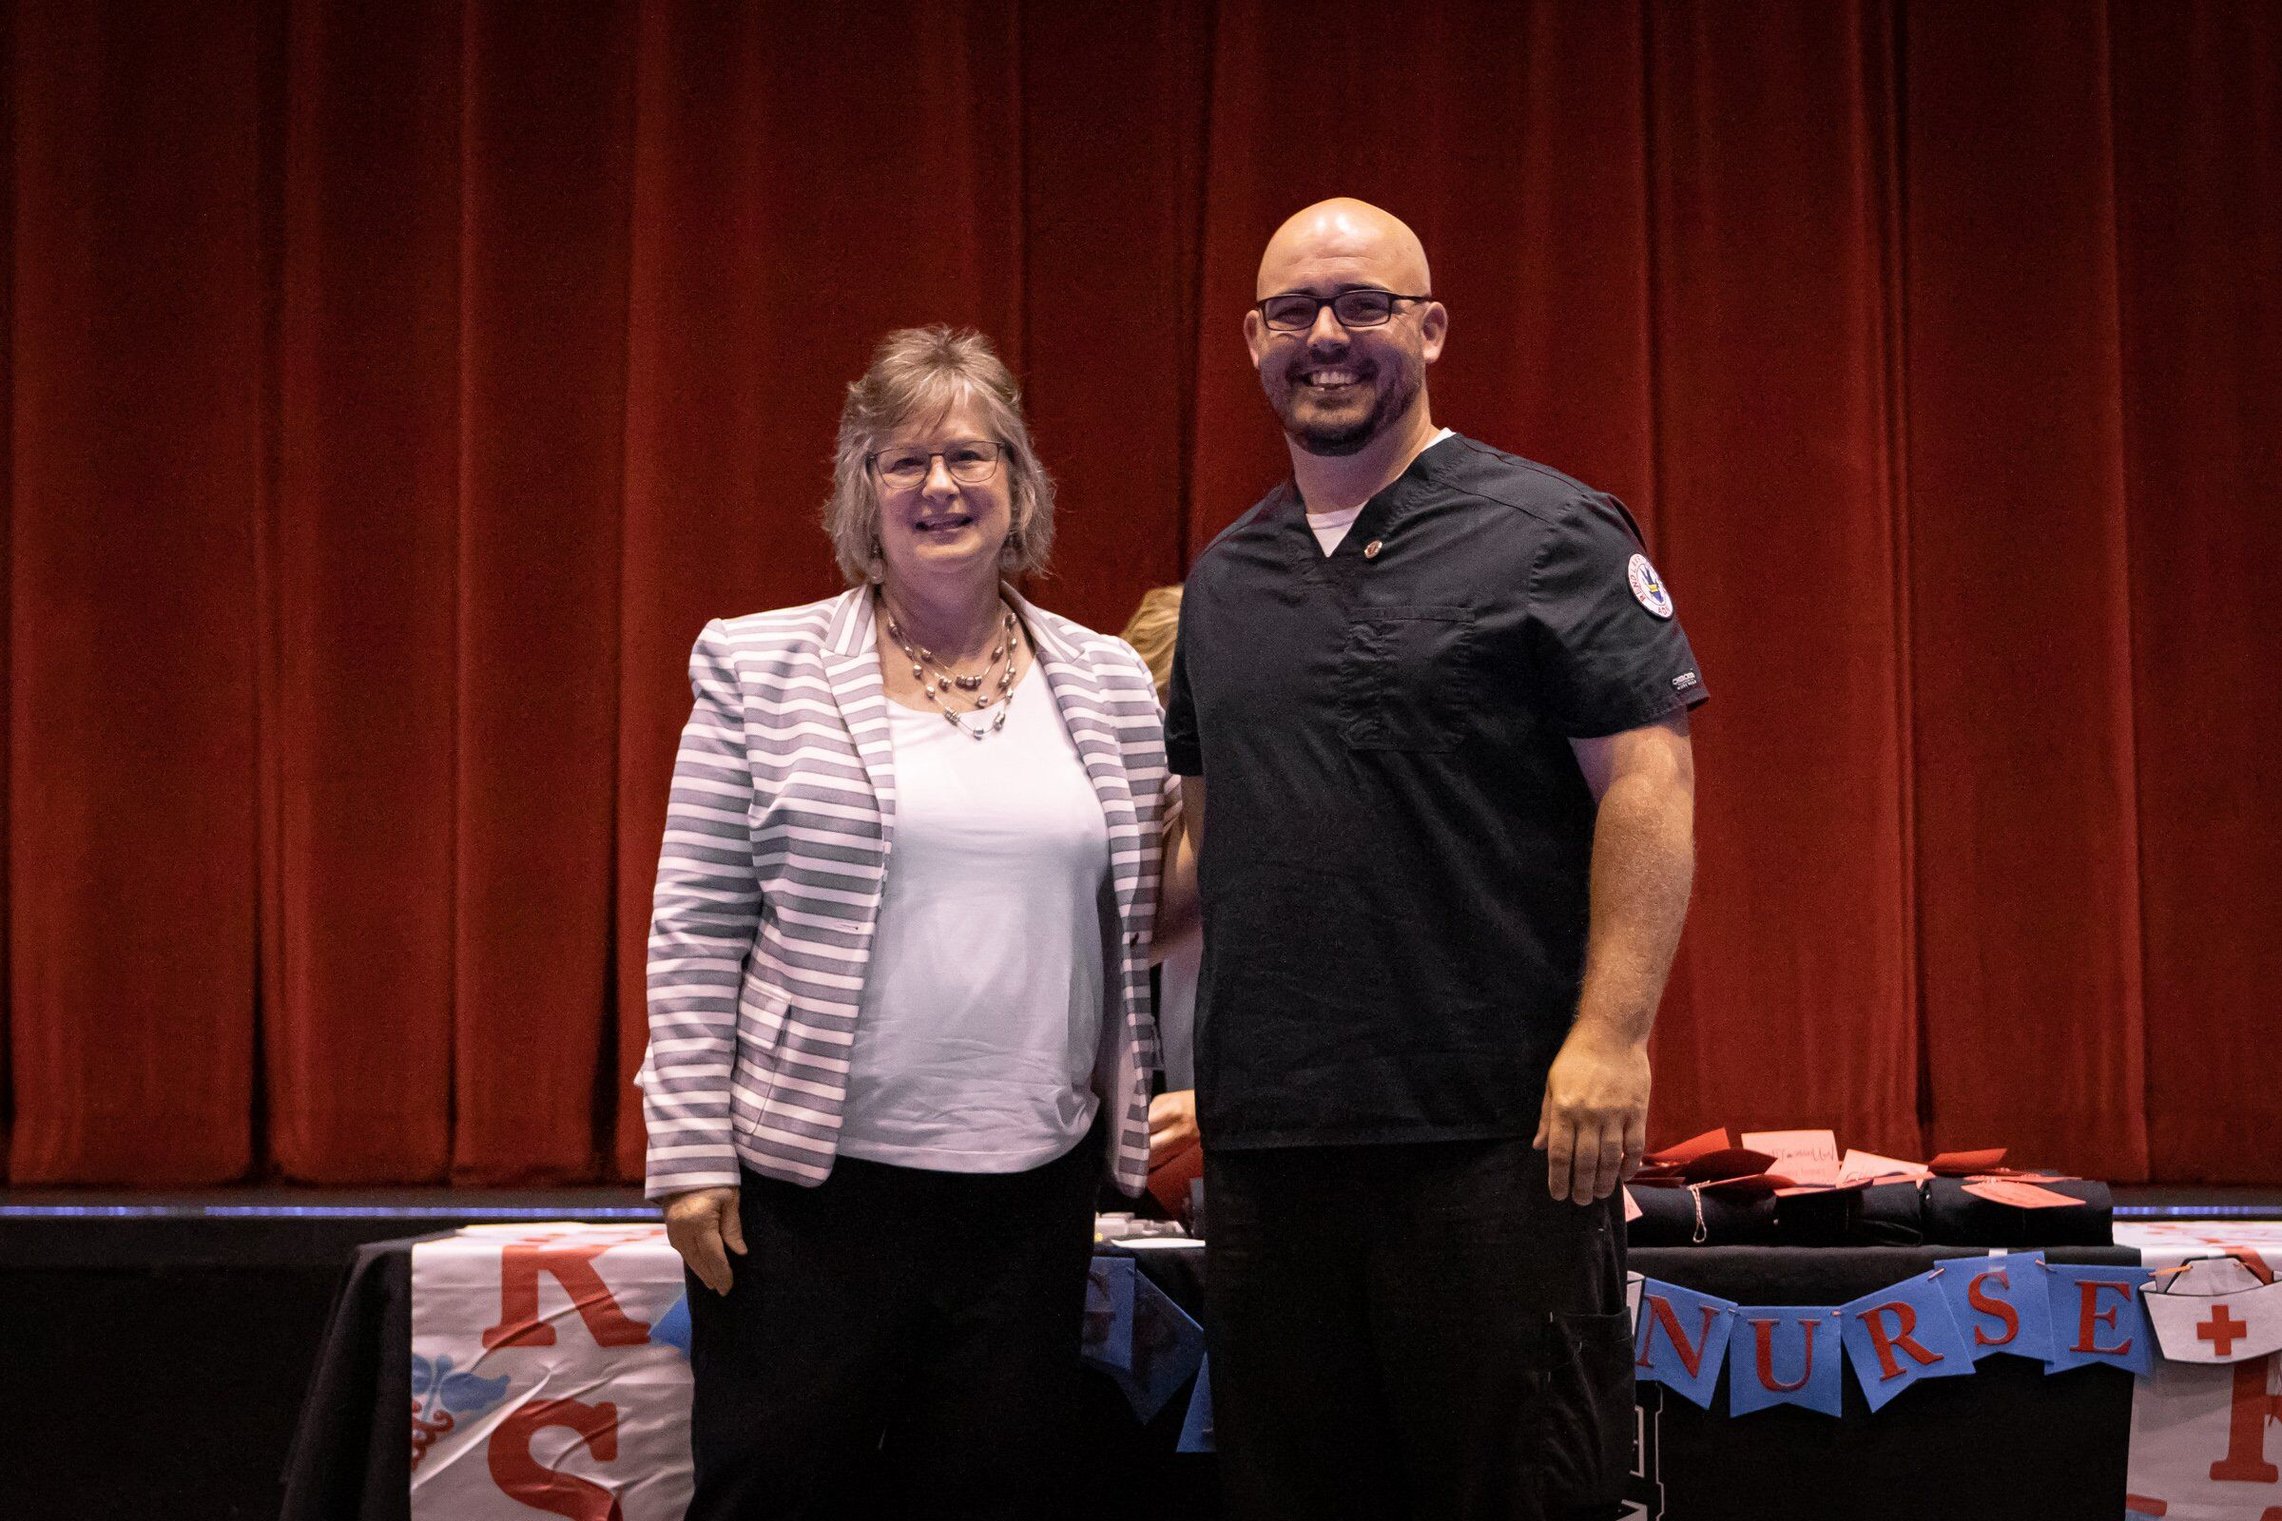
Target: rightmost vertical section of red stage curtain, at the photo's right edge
[(2196, 99)]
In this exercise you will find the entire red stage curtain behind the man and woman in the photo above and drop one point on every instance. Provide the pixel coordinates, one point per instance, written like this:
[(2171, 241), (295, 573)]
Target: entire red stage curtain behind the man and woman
[(396, 389)]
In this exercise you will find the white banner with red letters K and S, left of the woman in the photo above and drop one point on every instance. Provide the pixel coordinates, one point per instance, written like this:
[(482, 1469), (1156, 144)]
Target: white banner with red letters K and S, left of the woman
[(551, 1376)]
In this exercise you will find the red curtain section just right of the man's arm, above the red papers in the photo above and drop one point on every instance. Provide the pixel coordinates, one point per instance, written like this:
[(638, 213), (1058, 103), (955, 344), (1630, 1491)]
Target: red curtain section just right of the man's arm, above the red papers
[(1777, 391)]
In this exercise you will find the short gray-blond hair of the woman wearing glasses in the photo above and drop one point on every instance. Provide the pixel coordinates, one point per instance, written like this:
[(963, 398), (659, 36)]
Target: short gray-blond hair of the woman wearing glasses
[(925, 373)]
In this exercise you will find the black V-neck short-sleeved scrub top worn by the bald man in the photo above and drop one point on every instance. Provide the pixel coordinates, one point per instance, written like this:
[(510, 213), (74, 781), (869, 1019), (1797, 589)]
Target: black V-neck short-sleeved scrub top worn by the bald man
[(1400, 843)]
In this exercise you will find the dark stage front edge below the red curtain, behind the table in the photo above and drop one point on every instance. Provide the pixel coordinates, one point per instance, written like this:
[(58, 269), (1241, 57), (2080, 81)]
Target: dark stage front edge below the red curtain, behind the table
[(156, 1347)]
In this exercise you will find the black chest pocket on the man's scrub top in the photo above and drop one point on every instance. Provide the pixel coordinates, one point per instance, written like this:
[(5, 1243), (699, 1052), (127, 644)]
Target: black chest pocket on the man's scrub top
[(1405, 678)]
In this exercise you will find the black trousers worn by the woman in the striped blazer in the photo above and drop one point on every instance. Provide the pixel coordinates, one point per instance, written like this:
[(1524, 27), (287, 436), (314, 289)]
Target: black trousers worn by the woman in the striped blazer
[(896, 1344)]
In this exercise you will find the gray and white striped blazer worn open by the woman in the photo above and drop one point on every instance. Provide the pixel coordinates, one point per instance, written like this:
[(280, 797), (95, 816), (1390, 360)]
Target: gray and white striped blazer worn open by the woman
[(779, 838)]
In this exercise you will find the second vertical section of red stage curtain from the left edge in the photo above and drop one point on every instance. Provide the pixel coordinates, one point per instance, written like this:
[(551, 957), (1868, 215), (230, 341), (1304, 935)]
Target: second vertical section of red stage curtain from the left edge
[(362, 601)]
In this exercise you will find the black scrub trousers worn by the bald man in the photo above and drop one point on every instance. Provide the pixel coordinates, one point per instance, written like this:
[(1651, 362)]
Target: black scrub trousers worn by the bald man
[(1414, 1331)]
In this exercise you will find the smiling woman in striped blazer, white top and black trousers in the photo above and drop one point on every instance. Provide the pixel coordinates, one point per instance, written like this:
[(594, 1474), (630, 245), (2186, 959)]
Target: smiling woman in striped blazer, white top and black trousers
[(900, 982)]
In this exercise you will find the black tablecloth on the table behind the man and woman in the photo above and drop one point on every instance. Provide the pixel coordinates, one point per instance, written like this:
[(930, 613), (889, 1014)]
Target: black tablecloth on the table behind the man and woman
[(2007, 1445)]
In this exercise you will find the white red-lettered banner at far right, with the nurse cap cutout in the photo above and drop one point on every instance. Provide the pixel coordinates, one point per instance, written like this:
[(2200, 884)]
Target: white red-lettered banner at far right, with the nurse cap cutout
[(2203, 1422)]
